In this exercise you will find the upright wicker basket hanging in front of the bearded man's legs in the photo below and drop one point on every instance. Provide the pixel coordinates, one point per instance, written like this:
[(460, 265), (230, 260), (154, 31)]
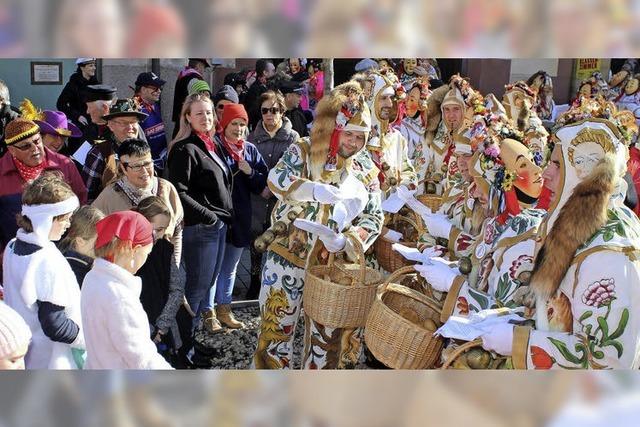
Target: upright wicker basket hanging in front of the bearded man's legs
[(340, 306)]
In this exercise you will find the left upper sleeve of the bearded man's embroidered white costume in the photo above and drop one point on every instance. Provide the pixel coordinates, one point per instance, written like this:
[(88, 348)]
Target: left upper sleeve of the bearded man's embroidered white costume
[(287, 180)]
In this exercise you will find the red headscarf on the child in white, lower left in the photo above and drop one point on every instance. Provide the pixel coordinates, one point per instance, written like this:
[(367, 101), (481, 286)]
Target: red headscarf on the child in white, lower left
[(128, 226)]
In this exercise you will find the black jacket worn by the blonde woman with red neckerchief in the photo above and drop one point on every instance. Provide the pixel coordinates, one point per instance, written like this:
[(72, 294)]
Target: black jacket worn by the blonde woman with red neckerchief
[(203, 182)]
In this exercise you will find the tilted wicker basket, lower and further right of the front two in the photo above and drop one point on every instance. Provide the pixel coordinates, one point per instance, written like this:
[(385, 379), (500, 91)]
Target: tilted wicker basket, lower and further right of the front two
[(395, 341)]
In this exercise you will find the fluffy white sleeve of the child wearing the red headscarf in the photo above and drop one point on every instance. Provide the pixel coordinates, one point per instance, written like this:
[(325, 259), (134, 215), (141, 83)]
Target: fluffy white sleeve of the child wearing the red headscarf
[(129, 334)]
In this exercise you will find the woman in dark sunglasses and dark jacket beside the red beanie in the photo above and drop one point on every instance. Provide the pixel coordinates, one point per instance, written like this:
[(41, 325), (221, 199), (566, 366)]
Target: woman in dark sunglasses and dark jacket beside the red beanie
[(272, 136)]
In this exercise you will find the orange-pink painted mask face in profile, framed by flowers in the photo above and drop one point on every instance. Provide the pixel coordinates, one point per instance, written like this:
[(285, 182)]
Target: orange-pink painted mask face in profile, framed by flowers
[(518, 158)]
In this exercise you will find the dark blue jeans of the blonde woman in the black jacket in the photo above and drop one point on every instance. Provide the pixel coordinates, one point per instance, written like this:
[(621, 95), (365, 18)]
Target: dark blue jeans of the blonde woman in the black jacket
[(202, 252)]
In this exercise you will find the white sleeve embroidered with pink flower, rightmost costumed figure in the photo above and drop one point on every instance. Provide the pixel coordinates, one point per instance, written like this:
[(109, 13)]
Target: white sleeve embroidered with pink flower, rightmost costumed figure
[(603, 313)]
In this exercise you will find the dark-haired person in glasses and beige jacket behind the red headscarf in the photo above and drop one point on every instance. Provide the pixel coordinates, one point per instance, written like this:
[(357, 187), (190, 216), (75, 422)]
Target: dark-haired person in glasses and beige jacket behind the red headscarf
[(137, 181)]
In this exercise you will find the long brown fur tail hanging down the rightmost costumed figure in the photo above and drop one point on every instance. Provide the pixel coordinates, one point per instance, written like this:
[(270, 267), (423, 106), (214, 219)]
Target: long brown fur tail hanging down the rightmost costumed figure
[(582, 215)]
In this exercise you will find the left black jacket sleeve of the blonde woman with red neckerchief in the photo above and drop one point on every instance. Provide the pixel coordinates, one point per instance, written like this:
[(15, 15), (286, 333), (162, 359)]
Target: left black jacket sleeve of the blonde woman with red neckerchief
[(181, 167)]
